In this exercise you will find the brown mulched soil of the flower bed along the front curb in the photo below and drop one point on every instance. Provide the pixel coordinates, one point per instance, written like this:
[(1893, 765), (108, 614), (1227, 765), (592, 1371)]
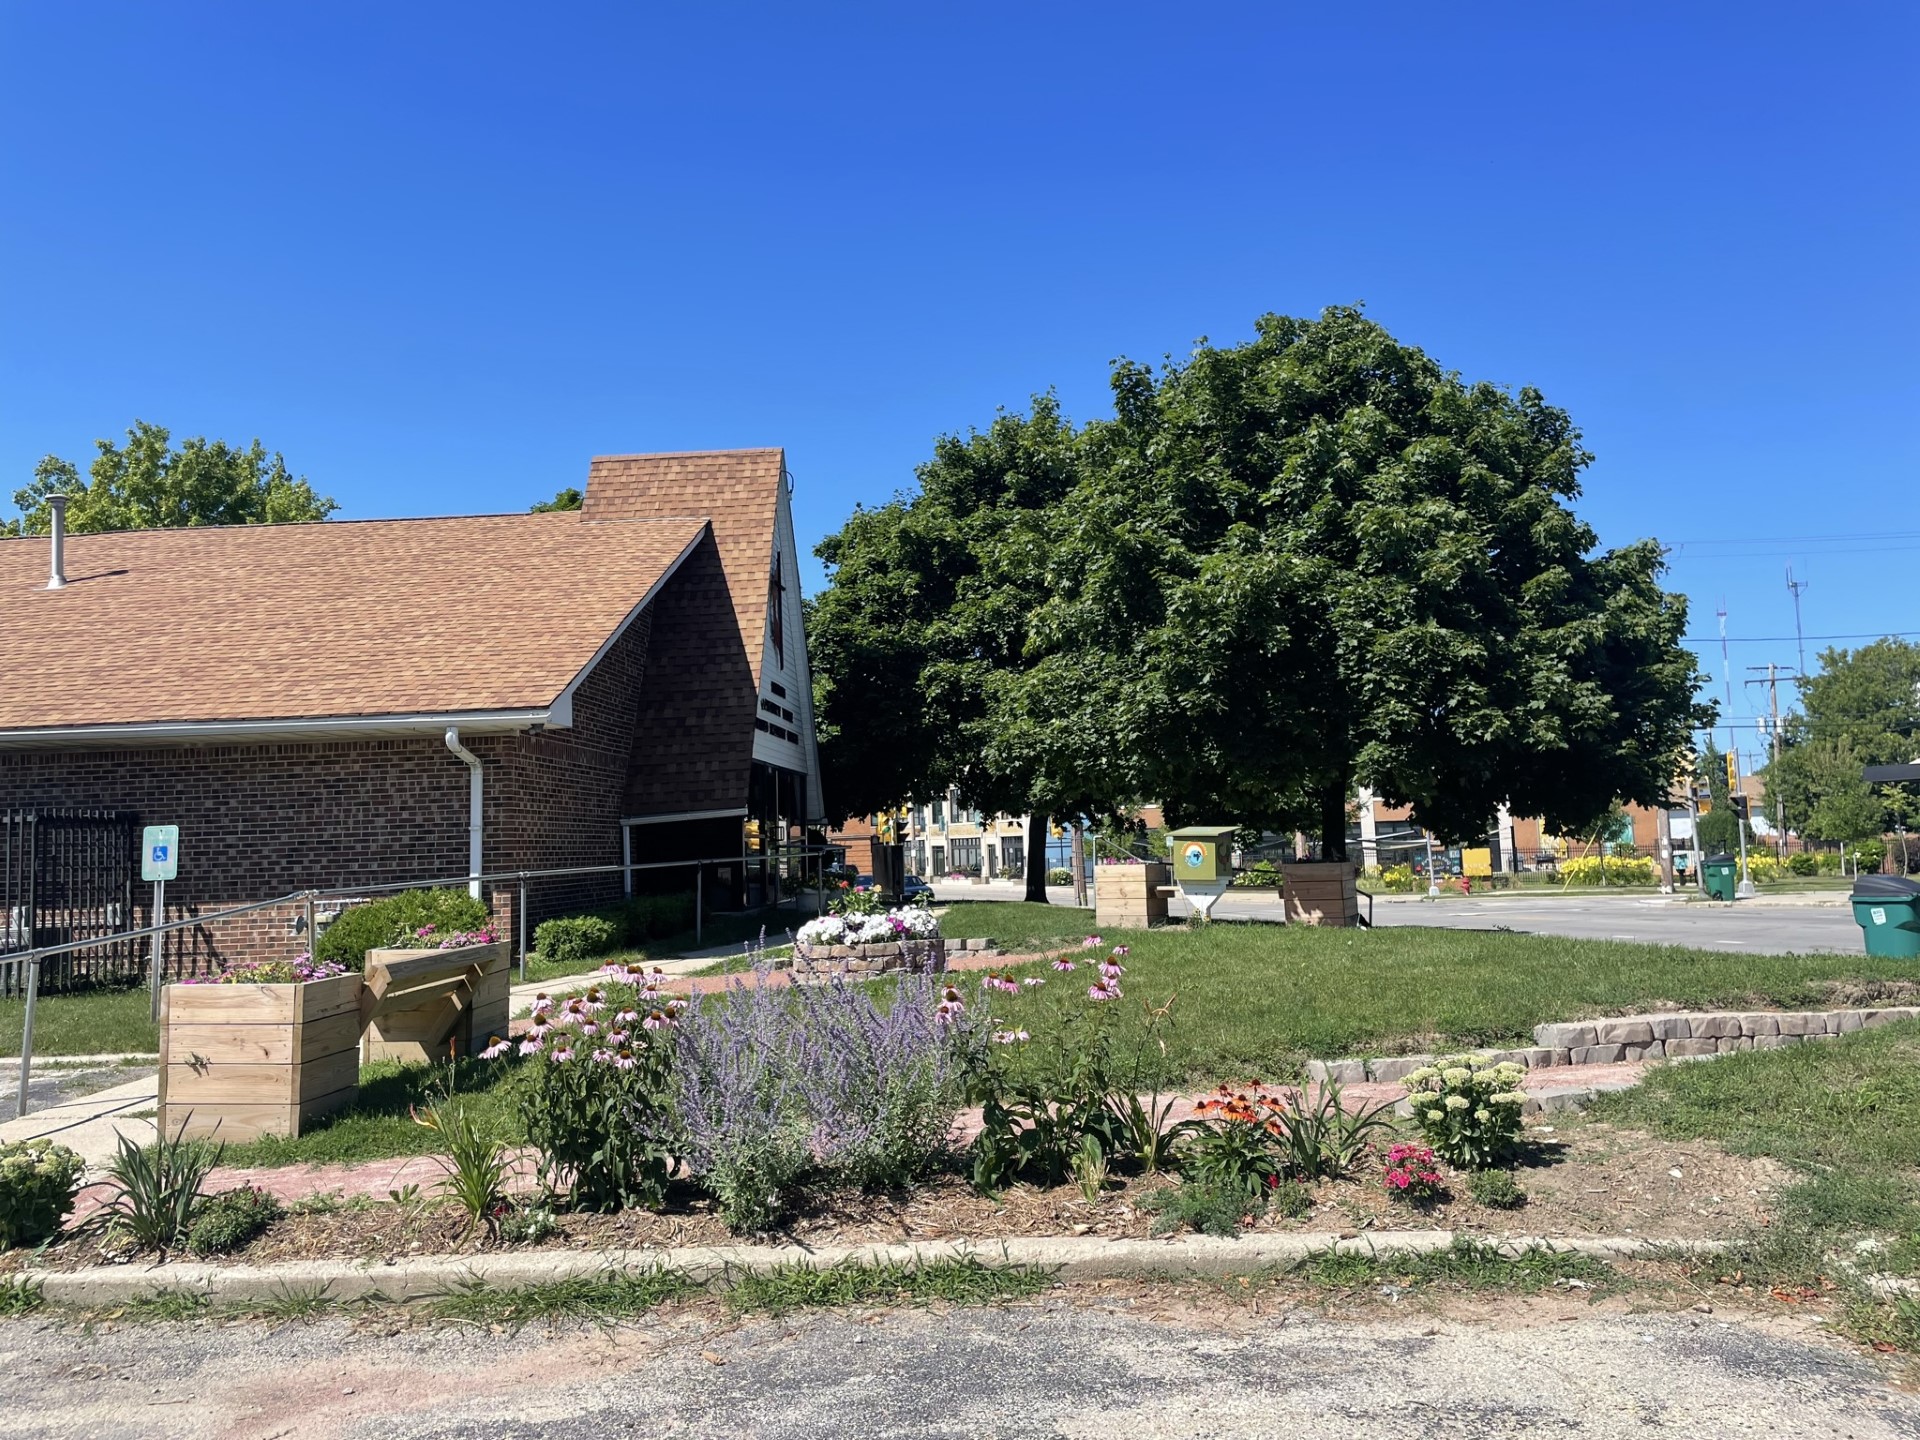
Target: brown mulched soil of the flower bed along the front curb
[(1581, 1178)]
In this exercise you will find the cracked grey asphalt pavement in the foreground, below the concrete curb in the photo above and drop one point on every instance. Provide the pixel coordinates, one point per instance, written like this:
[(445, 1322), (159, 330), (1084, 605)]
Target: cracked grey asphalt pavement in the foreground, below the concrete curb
[(1047, 1370)]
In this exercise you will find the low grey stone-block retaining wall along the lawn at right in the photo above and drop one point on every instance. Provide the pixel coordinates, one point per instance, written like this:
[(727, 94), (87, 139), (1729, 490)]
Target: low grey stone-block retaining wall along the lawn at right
[(1675, 1036)]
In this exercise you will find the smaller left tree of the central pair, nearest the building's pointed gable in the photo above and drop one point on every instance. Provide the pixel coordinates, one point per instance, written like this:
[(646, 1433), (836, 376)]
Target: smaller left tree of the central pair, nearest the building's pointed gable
[(921, 642)]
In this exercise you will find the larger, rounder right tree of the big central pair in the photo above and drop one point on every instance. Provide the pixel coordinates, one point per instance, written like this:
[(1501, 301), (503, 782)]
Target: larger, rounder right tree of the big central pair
[(1318, 562)]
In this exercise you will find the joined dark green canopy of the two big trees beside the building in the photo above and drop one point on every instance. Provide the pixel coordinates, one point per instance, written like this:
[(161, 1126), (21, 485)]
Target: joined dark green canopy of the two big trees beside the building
[(1282, 571)]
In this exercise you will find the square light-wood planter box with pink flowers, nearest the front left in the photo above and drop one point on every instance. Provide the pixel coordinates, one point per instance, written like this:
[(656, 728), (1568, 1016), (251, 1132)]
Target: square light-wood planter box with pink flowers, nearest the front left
[(247, 1061)]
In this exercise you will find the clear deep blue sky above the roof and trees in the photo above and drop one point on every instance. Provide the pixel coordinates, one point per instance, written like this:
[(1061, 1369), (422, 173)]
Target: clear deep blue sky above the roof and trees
[(441, 254)]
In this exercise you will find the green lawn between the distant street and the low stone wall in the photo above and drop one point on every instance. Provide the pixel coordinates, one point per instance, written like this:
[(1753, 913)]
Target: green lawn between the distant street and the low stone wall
[(1259, 999)]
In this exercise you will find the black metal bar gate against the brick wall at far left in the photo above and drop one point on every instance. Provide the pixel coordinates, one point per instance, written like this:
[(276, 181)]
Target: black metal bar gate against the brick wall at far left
[(68, 876)]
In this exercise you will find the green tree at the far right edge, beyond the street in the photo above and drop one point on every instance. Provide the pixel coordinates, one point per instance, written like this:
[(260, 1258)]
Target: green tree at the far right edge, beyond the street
[(1860, 709)]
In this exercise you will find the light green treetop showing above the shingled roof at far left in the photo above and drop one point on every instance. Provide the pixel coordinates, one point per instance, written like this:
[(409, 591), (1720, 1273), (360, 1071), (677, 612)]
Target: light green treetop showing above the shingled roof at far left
[(149, 485)]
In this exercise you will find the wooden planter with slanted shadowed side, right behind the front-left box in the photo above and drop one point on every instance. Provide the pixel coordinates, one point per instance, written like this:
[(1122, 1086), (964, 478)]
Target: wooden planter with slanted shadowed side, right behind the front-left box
[(429, 1005)]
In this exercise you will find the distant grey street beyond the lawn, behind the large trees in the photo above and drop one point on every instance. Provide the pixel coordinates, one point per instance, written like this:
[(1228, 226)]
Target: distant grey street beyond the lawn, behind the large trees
[(1754, 926)]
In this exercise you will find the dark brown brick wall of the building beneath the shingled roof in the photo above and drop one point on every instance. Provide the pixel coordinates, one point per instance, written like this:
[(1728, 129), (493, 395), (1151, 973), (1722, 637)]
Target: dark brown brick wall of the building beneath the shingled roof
[(262, 821)]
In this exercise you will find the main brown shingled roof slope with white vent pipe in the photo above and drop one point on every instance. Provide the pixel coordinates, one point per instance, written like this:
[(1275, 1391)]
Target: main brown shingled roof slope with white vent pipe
[(335, 619)]
